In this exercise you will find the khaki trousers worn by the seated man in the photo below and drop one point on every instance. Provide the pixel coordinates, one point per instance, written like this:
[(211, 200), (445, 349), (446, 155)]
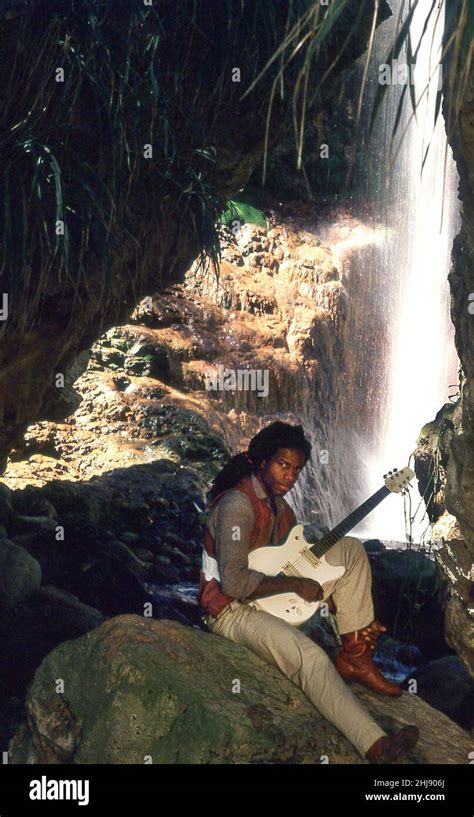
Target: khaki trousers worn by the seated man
[(299, 658)]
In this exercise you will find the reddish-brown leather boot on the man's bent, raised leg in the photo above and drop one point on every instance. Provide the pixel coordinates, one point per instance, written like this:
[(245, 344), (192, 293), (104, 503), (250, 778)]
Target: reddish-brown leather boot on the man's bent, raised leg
[(354, 661)]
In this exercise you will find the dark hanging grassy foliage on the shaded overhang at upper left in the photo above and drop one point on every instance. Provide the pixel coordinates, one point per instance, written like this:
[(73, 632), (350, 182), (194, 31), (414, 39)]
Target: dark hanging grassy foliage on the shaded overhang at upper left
[(73, 152)]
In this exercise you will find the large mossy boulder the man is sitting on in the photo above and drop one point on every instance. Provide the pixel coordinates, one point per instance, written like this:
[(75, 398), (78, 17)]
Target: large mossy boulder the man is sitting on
[(137, 690)]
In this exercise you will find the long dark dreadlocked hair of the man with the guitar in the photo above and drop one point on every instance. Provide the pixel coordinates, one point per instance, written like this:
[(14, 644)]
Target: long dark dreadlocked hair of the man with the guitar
[(262, 447)]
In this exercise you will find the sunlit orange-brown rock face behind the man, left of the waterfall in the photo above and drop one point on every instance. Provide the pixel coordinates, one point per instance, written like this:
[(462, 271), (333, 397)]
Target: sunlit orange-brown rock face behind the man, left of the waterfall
[(179, 348)]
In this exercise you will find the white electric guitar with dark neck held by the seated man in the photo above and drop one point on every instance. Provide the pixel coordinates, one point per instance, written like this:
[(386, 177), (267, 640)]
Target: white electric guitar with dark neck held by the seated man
[(296, 557)]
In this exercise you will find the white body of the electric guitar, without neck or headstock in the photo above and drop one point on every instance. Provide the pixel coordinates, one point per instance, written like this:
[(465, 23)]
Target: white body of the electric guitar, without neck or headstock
[(293, 558)]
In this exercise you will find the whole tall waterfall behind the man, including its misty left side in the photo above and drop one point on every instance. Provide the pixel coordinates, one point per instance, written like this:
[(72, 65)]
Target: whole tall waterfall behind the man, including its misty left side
[(400, 358)]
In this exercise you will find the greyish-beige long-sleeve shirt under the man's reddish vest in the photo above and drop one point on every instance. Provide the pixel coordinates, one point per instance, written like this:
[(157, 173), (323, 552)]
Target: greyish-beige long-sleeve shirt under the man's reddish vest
[(230, 525)]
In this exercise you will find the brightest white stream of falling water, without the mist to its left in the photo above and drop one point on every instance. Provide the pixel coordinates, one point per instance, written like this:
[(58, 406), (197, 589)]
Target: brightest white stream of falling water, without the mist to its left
[(408, 270)]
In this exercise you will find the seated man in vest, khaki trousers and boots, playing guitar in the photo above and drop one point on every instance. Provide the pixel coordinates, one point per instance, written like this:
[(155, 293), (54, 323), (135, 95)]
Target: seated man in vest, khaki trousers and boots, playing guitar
[(248, 510)]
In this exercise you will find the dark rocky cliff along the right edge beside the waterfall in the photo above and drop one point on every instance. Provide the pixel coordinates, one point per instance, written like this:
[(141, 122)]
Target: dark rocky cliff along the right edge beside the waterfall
[(446, 446)]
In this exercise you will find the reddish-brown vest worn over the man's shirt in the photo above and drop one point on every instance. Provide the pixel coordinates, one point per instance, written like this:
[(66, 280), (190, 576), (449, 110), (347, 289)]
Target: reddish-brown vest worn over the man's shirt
[(211, 598)]
